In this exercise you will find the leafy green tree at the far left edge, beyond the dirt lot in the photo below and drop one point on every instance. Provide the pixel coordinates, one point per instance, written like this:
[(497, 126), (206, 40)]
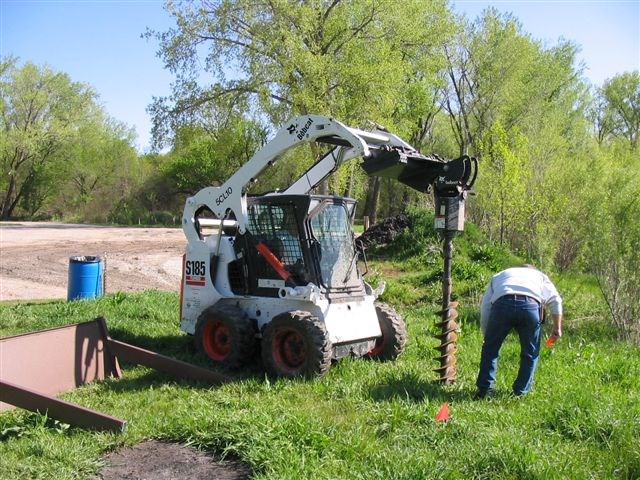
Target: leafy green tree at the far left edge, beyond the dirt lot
[(39, 114)]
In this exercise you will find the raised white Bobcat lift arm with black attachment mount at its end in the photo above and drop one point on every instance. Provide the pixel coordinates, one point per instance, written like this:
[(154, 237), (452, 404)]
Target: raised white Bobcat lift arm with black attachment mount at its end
[(383, 153)]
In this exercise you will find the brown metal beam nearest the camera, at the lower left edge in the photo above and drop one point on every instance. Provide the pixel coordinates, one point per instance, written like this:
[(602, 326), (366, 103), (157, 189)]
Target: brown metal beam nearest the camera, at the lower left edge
[(59, 409)]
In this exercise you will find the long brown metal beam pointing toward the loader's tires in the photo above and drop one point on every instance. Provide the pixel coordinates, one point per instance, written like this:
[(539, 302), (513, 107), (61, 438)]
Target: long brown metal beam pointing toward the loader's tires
[(180, 369)]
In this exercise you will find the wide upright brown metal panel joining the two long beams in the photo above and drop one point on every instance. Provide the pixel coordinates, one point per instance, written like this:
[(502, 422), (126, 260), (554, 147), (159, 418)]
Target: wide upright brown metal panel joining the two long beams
[(56, 360)]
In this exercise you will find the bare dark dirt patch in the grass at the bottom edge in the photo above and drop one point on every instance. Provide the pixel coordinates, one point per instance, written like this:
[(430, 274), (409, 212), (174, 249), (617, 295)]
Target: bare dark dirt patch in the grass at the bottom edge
[(160, 460)]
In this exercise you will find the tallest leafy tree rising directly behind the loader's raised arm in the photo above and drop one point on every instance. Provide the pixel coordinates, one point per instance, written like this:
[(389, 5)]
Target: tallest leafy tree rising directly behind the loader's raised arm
[(352, 60)]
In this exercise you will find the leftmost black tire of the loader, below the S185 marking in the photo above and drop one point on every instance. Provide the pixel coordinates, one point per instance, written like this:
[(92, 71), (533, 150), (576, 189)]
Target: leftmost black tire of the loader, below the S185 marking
[(226, 335)]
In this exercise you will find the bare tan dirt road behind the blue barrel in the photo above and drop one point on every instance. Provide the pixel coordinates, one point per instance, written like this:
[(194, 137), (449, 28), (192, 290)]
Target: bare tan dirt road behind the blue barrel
[(34, 257)]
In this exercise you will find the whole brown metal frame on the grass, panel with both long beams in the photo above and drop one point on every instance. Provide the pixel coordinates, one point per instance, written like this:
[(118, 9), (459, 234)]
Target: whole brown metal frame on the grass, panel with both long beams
[(35, 366)]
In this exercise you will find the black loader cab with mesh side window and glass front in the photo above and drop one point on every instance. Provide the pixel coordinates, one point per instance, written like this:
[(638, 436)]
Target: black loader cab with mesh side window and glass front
[(311, 238)]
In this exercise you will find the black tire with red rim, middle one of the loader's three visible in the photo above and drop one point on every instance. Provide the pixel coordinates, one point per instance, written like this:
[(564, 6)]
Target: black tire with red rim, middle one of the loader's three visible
[(296, 344)]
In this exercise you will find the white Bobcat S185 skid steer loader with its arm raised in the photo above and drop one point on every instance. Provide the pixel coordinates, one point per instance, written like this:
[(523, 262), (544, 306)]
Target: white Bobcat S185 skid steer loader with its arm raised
[(280, 270)]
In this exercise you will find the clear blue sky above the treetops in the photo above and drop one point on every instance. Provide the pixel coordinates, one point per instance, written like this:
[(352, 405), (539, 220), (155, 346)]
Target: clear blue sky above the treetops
[(98, 42)]
